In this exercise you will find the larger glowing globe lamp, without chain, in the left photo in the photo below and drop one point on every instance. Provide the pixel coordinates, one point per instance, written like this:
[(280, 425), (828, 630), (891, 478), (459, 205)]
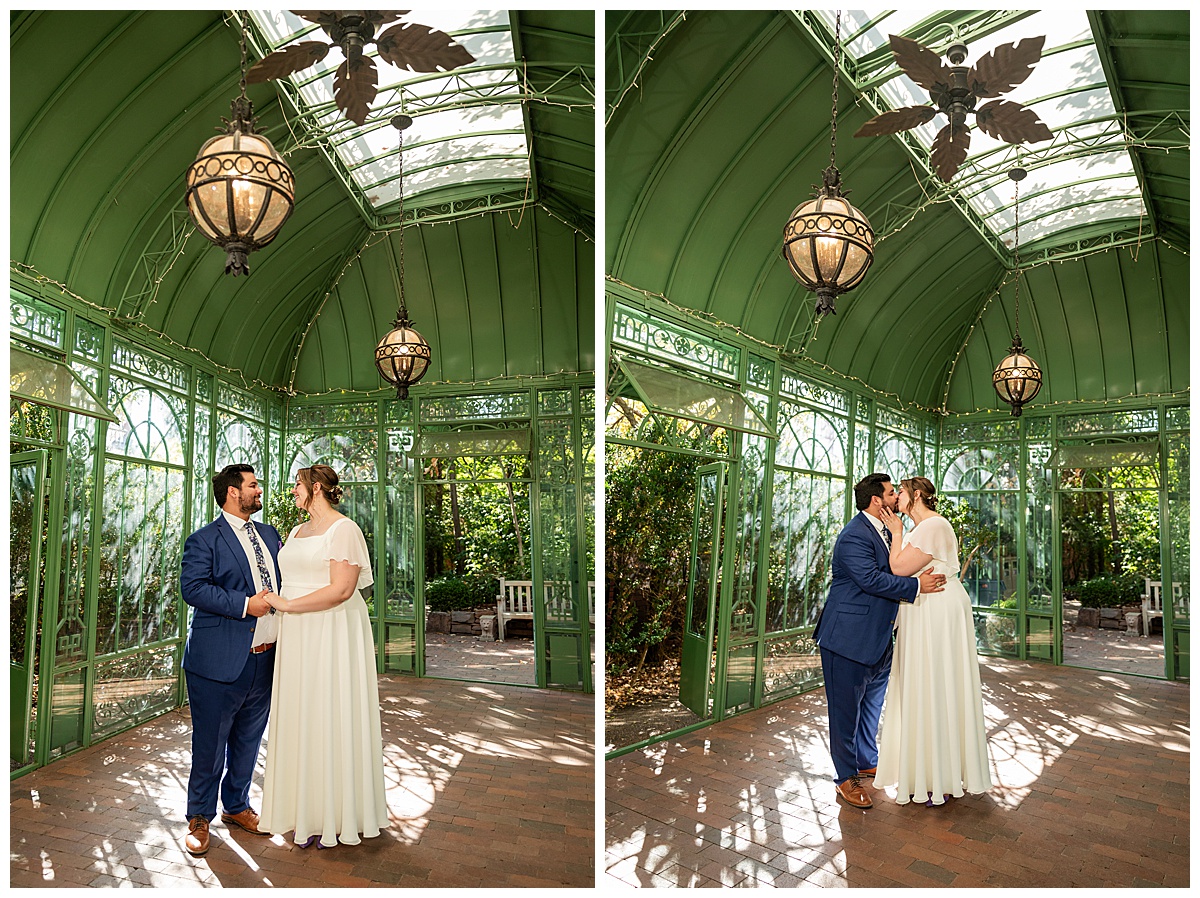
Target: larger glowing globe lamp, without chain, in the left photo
[(239, 194)]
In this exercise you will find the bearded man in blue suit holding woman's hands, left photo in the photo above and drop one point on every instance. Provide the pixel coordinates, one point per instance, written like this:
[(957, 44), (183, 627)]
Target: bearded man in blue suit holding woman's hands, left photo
[(230, 658)]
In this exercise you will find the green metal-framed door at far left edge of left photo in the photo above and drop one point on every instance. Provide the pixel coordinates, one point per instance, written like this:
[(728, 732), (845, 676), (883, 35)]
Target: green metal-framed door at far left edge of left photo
[(28, 501)]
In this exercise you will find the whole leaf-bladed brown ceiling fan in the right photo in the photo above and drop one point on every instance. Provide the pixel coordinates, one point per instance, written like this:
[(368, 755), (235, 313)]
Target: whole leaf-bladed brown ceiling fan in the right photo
[(955, 92)]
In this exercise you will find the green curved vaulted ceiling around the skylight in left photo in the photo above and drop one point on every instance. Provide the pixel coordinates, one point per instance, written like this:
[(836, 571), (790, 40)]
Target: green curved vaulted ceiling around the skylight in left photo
[(110, 107)]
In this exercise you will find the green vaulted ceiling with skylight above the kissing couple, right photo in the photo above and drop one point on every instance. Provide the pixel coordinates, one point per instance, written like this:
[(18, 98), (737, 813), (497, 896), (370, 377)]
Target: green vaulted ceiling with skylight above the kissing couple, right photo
[(718, 125)]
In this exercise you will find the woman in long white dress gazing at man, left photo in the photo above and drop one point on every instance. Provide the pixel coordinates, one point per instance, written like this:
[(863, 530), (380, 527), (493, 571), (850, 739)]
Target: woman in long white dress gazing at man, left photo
[(325, 751)]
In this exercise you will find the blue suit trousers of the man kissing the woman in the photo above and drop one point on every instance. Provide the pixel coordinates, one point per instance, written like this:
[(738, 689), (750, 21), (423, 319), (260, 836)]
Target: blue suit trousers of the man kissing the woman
[(855, 695)]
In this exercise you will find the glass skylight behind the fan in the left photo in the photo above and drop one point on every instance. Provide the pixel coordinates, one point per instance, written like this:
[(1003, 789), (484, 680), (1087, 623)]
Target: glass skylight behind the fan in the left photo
[(469, 127)]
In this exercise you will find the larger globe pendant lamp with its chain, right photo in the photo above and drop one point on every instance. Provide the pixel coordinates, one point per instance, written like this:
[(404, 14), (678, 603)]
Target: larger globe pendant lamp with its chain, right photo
[(830, 244)]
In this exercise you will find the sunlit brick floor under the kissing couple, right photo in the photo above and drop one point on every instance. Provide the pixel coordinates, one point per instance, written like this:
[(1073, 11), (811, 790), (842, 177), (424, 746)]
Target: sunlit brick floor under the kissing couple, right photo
[(1093, 789)]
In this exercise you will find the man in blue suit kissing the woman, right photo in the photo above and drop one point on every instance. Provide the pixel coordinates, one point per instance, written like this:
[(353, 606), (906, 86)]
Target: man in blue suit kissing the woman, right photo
[(855, 634)]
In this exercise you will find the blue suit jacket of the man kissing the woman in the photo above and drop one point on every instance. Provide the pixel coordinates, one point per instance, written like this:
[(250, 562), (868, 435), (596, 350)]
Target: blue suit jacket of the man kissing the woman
[(865, 596)]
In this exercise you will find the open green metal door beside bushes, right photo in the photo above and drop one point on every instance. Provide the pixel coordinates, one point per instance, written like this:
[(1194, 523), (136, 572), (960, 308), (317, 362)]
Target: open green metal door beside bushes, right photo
[(704, 588)]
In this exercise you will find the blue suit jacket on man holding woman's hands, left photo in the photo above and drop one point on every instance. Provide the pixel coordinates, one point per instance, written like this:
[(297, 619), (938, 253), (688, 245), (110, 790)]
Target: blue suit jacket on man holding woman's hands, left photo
[(215, 582)]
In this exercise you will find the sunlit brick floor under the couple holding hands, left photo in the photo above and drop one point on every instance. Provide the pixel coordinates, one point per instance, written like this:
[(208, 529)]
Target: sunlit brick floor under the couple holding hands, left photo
[(488, 786)]
